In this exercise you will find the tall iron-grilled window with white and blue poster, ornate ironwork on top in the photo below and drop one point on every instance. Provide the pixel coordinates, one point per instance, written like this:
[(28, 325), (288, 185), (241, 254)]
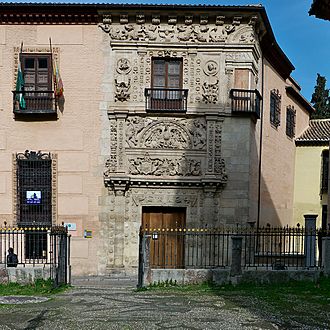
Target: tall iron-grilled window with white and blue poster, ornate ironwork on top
[(34, 189)]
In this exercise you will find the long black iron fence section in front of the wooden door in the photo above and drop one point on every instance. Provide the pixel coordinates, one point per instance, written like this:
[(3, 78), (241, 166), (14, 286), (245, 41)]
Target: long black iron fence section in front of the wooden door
[(266, 247)]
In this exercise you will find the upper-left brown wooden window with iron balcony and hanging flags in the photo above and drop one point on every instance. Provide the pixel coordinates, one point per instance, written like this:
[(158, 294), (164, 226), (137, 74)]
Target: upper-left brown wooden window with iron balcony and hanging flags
[(34, 93)]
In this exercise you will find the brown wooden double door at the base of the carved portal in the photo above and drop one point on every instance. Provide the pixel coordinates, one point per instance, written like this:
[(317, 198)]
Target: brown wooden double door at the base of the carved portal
[(167, 250)]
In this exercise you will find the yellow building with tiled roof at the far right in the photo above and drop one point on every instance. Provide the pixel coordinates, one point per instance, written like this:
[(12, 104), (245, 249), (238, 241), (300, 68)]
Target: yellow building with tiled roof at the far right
[(311, 172)]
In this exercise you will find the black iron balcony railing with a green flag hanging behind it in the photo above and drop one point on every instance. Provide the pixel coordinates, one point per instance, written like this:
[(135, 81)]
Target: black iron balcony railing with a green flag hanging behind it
[(34, 102)]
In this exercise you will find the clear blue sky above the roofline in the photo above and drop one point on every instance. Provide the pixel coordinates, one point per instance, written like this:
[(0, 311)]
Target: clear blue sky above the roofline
[(304, 39)]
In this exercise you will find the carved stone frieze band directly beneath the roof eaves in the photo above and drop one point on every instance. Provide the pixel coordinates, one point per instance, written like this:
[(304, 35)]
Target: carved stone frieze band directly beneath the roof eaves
[(224, 30)]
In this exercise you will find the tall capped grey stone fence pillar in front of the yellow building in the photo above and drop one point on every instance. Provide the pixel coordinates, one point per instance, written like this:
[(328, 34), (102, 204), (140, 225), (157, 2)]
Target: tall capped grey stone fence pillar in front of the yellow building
[(310, 240)]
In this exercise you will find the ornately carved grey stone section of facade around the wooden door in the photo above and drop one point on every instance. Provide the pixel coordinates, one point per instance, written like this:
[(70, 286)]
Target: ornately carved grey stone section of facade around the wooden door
[(199, 160)]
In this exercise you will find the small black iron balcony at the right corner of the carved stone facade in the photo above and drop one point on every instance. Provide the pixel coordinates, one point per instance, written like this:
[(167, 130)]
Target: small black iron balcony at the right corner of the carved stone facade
[(246, 101)]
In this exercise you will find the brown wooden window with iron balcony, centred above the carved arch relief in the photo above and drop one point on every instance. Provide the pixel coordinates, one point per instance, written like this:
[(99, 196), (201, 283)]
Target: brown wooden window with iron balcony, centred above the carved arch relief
[(166, 93)]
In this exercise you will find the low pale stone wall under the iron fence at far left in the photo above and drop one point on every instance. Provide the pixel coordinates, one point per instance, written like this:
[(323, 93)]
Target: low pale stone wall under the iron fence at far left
[(24, 275)]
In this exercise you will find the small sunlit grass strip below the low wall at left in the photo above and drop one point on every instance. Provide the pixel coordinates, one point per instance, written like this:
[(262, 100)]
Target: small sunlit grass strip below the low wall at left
[(39, 287)]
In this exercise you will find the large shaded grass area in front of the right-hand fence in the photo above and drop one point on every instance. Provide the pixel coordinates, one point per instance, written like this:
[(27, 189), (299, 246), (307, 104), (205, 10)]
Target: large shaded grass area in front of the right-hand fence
[(289, 305)]
